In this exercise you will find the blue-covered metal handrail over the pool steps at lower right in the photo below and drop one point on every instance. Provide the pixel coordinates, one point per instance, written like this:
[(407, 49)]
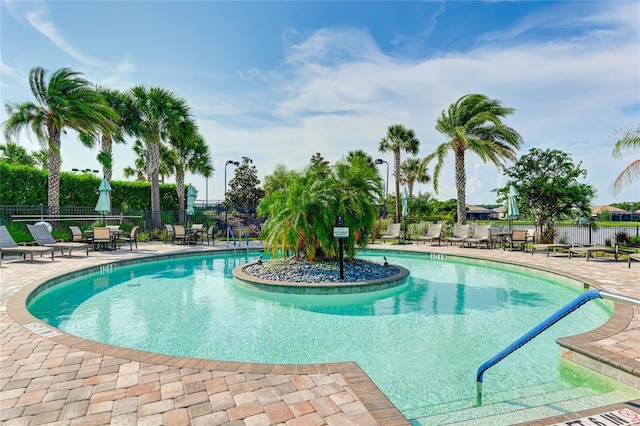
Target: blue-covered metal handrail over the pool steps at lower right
[(563, 312)]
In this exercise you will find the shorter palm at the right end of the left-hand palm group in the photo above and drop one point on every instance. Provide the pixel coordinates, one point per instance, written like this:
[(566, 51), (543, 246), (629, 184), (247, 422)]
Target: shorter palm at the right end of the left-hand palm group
[(188, 152)]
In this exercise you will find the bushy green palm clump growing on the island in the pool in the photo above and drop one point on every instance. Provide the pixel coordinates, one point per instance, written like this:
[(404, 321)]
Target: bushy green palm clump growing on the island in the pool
[(302, 212)]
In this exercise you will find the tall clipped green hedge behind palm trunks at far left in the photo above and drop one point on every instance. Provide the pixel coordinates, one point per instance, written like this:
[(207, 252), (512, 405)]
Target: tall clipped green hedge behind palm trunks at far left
[(25, 185)]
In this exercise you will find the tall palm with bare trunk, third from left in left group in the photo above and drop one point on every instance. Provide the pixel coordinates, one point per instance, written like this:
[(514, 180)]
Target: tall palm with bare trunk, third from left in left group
[(156, 113)]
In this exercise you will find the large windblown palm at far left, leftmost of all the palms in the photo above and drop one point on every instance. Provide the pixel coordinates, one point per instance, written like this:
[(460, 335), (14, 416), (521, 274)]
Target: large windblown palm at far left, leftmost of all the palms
[(67, 101)]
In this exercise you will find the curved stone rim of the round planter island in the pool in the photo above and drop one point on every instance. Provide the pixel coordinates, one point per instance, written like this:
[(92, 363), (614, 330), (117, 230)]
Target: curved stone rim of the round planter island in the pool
[(322, 288)]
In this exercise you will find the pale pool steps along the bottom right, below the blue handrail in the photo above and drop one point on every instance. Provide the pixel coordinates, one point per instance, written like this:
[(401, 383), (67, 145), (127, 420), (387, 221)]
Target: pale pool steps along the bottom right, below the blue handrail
[(525, 409)]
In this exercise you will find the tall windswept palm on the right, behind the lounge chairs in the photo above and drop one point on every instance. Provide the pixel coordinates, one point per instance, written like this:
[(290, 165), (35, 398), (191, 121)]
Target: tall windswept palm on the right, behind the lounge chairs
[(473, 123)]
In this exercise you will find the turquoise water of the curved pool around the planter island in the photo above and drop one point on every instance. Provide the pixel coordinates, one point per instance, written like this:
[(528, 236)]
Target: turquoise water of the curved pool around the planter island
[(421, 343)]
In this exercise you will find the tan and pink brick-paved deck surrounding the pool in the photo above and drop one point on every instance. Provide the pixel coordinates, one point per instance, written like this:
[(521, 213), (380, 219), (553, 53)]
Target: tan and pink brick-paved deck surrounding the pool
[(65, 380)]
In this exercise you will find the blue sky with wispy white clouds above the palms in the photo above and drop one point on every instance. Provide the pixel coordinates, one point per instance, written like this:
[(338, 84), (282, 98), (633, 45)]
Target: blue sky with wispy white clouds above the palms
[(280, 81)]
